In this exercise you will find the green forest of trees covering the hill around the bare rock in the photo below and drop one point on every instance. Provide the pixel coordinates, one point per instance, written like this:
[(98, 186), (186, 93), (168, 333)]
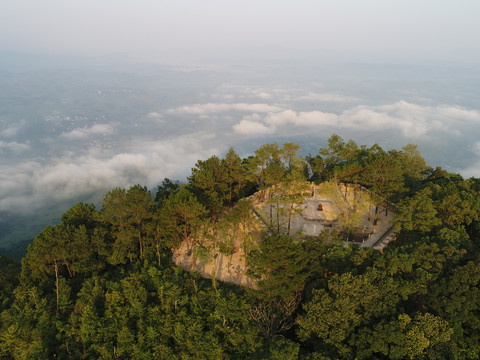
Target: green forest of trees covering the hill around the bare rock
[(102, 284)]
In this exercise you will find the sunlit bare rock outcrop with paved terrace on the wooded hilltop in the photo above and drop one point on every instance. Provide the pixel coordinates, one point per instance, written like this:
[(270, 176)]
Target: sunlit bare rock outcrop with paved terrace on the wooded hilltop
[(328, 206)]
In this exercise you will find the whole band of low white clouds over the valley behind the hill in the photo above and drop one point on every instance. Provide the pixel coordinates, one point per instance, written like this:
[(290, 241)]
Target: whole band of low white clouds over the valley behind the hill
[(44, 161)]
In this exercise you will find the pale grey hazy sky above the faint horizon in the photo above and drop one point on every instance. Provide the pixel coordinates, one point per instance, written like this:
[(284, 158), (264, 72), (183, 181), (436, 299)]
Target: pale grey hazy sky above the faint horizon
[(192, 30)]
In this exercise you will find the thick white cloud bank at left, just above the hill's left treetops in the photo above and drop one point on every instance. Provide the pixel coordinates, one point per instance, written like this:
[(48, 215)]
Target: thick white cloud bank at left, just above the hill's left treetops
[(29, 185)]
